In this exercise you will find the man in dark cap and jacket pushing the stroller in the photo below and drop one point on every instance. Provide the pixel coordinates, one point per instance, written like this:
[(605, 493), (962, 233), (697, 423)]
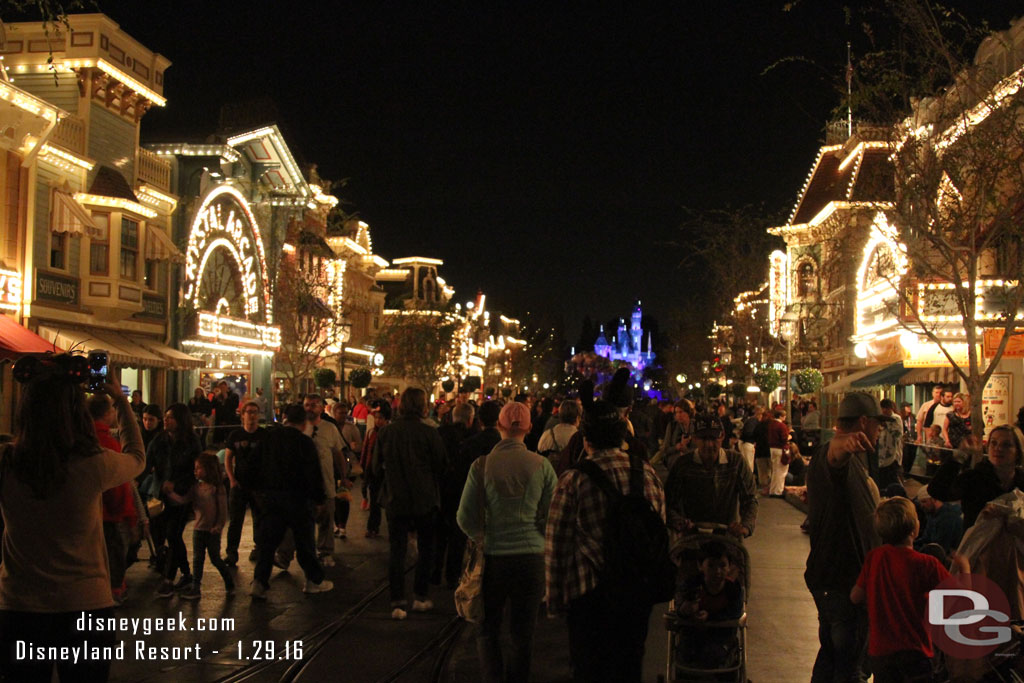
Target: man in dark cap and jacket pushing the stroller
[(711, 484)]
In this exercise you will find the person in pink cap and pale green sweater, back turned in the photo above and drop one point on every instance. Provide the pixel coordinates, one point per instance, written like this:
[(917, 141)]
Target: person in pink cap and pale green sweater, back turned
[(506, 501)]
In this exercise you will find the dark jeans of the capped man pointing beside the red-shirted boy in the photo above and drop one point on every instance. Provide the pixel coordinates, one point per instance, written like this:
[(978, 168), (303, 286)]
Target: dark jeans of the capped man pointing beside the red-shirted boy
[(843, 638)]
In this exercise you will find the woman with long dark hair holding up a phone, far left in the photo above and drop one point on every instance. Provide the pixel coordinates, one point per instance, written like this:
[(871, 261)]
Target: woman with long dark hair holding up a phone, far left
[(55, 560)]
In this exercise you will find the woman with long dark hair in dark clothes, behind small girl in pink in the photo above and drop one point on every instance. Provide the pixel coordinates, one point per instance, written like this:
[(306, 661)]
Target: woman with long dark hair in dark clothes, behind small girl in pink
[(173, 455)]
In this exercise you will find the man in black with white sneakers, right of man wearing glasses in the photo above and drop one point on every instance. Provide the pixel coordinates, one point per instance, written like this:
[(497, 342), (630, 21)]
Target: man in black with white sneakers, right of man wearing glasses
[(290, 484)]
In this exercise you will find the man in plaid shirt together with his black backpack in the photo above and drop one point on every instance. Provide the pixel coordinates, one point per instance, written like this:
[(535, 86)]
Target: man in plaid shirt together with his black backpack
[(607, 552)]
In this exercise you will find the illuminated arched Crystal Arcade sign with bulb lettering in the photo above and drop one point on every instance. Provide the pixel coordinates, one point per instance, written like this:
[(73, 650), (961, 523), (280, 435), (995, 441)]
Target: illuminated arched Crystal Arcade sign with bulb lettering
[(226, 222)]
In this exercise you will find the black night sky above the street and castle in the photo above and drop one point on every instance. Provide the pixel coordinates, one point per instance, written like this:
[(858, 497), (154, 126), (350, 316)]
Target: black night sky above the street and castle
[(543, 150)]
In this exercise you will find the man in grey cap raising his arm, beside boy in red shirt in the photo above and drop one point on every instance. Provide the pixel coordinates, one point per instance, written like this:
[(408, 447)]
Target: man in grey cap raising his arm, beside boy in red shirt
[(842, 499)]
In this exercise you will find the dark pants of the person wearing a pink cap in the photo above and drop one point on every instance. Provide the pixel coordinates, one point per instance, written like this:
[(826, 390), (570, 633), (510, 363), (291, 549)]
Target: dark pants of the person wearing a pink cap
[(518, 580)]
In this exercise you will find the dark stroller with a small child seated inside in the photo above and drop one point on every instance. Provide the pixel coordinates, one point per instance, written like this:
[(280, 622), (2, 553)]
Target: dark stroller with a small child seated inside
[(703, 647)]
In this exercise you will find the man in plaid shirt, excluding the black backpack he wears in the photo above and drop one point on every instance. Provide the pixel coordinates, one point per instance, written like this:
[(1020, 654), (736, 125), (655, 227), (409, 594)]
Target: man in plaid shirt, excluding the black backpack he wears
[(607, 643)]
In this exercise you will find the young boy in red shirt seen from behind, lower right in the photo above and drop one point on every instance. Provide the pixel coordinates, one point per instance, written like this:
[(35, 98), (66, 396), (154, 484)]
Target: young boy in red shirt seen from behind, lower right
[(895, 582)]
